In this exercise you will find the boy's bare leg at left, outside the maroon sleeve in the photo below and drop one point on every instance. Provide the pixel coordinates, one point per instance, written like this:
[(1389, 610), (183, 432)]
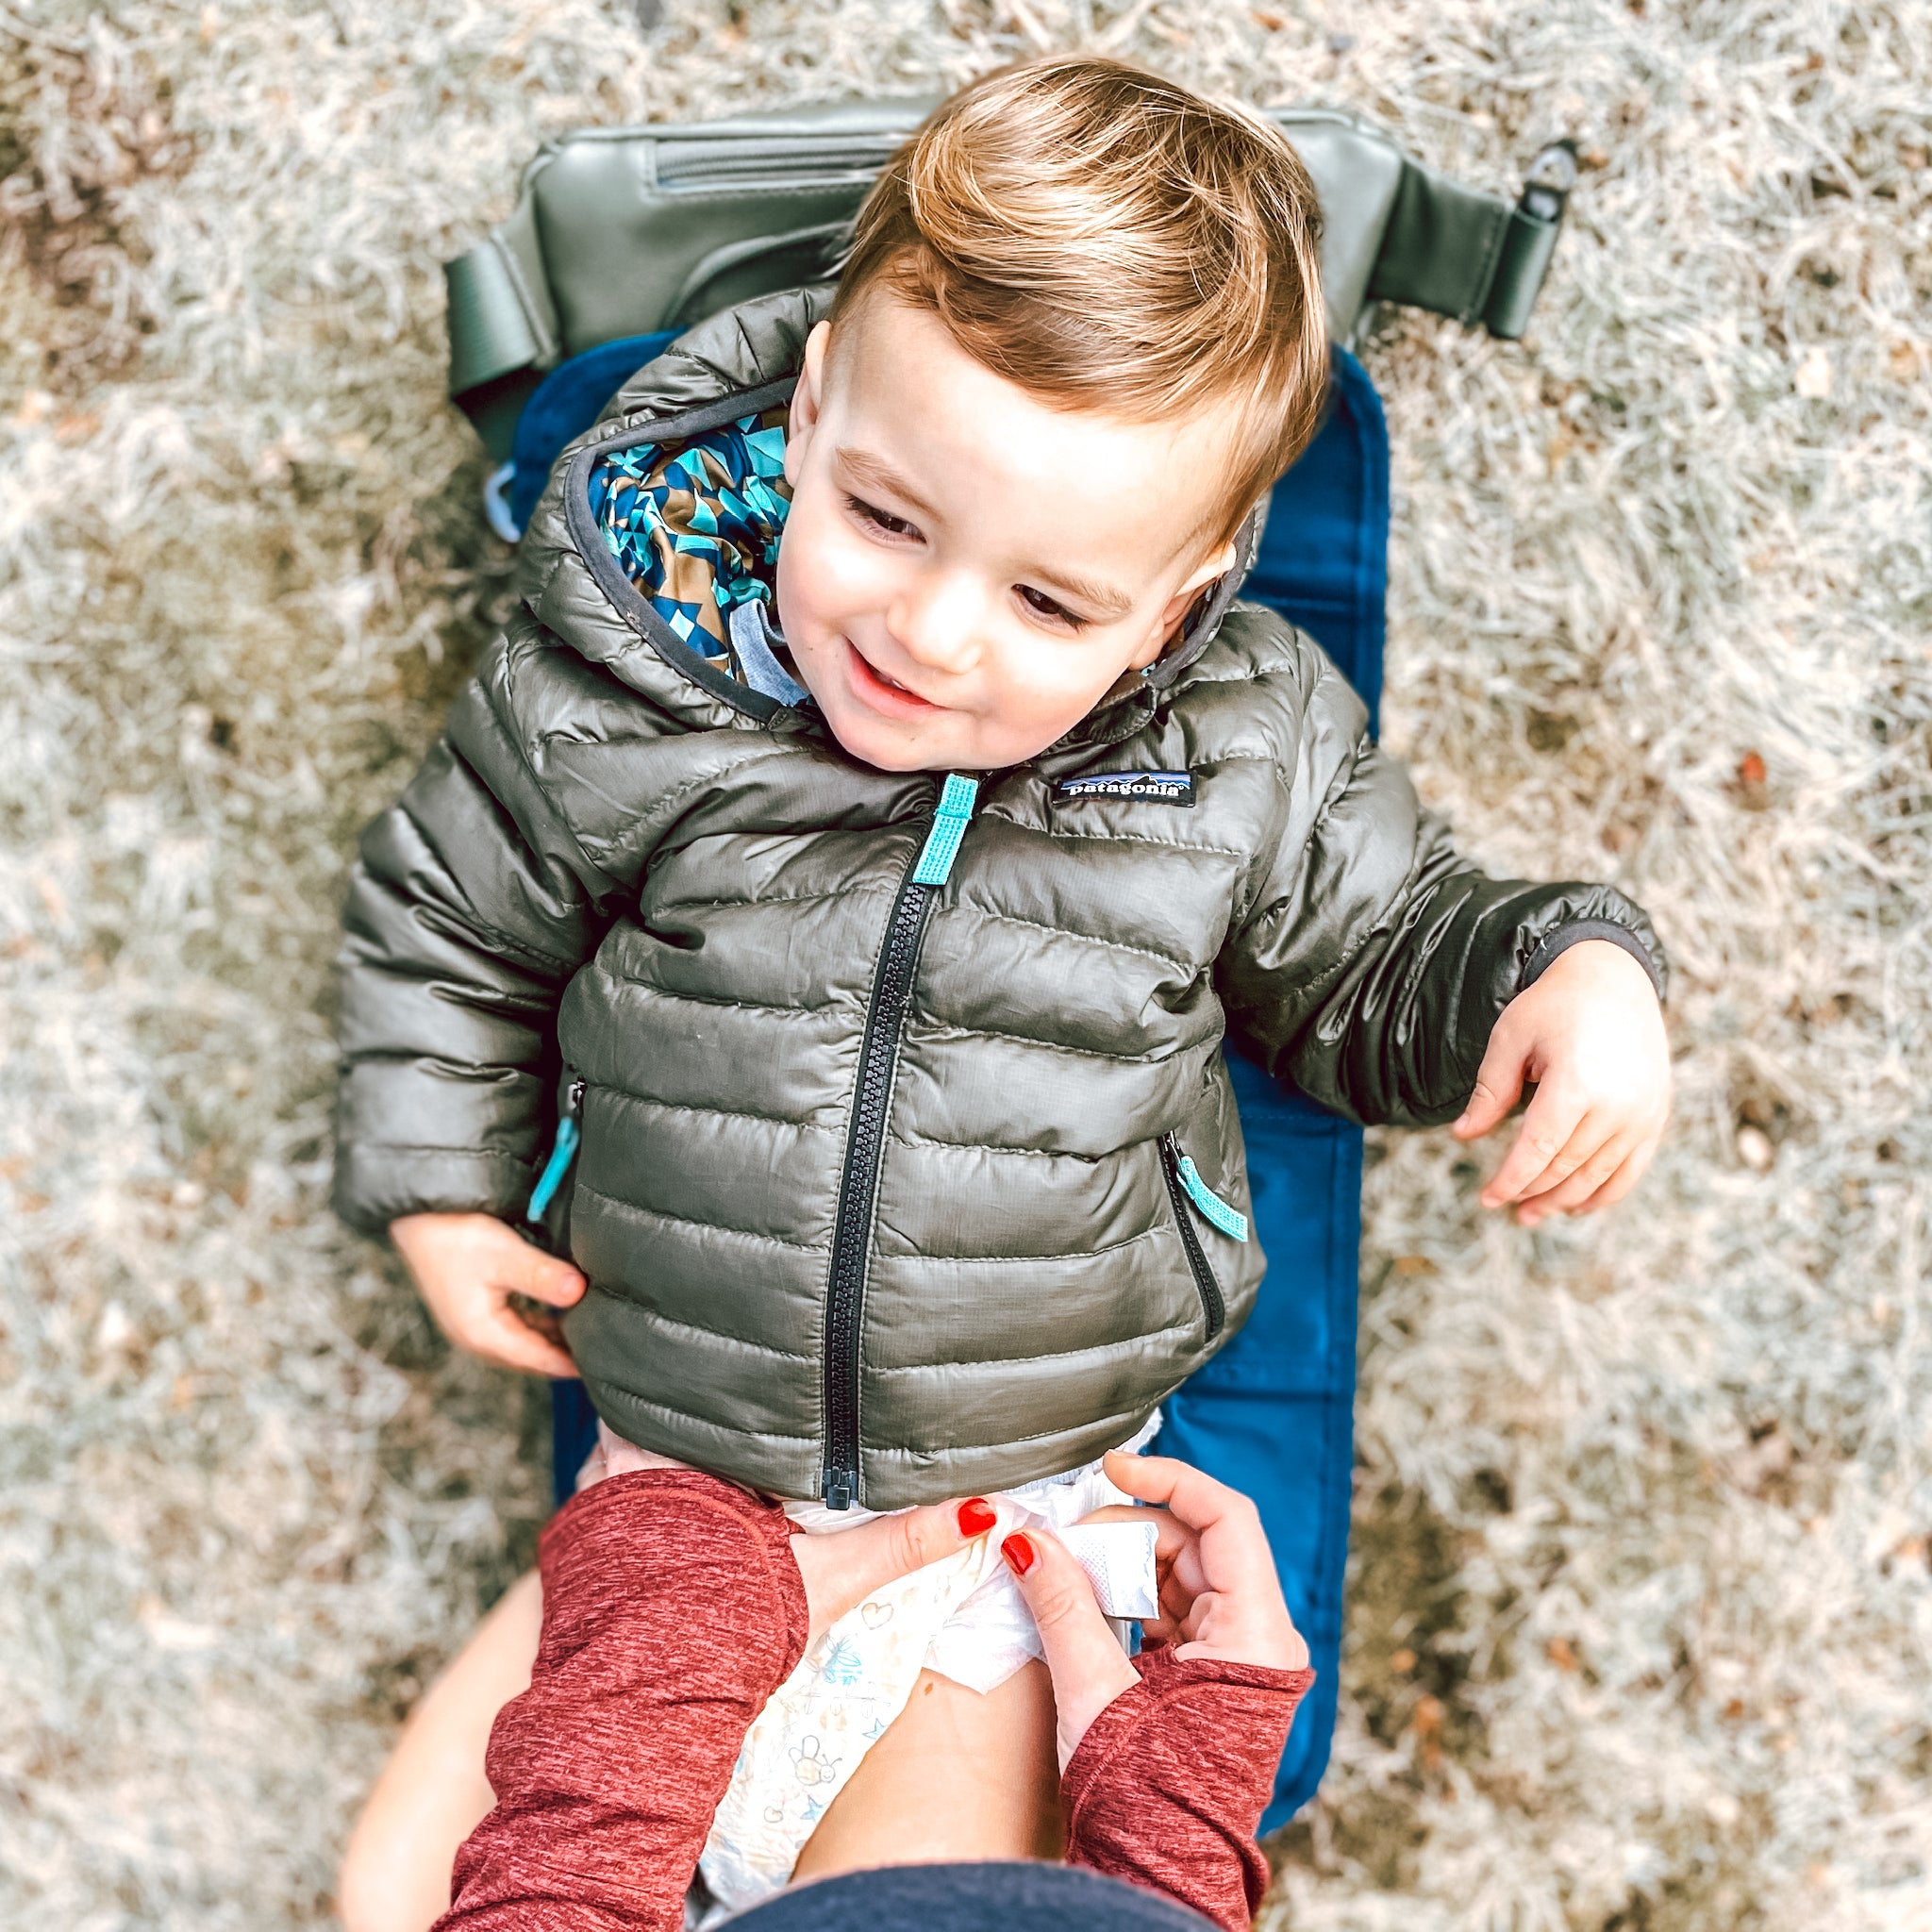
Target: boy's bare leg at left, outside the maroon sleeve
[(434, 1794)]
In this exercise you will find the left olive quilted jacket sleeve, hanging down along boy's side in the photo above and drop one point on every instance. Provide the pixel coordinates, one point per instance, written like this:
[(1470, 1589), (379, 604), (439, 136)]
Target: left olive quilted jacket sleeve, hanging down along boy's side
[(469, 913)]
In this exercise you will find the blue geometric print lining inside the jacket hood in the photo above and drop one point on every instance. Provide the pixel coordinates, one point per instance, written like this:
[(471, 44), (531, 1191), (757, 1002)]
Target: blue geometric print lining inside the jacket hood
[(696, 528)]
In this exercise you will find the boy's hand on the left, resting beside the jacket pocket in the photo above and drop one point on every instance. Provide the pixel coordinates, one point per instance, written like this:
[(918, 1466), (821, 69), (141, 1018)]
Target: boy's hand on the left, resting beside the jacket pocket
[(469, 1266)]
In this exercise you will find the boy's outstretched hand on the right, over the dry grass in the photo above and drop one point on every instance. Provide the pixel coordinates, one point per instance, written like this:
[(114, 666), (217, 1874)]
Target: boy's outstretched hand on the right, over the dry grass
[(1591, 1037)]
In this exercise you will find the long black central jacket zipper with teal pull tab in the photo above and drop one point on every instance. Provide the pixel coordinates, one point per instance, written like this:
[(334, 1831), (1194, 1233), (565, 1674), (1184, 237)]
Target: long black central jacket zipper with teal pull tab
[(859, 1185)]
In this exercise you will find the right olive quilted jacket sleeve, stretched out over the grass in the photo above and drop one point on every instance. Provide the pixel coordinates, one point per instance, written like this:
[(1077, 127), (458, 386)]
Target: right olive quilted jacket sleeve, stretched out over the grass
[(1373, 961)]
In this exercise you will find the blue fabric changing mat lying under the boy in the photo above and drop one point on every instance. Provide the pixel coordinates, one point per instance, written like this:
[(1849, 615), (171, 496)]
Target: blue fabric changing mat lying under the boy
[(1274, 1413)]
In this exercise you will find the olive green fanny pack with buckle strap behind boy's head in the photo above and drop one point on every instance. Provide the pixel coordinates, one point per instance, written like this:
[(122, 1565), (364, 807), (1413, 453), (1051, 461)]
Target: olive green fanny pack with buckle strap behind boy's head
[(625, 231)]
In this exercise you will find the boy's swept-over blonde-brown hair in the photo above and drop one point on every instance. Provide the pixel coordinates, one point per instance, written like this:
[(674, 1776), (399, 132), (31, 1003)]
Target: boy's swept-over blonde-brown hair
[(1110, 241)]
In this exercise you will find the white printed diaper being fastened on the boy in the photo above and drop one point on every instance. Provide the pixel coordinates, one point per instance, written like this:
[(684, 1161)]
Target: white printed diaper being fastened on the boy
[(961, 1618)]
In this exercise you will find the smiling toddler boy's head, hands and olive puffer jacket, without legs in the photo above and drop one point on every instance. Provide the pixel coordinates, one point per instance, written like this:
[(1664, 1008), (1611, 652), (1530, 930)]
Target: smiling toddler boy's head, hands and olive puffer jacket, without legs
[(865, 913)]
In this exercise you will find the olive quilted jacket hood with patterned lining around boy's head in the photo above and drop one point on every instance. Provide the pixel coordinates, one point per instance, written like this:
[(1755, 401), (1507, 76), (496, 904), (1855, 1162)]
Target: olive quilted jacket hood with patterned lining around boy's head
[(668, 515)]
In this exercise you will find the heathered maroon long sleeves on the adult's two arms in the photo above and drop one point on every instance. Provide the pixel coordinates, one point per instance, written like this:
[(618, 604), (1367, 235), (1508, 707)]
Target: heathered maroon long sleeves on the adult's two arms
[(671, 1612)]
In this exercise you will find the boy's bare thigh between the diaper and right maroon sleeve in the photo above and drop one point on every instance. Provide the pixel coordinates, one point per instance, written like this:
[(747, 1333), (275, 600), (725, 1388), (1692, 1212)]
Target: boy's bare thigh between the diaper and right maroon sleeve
[(957, 1776)]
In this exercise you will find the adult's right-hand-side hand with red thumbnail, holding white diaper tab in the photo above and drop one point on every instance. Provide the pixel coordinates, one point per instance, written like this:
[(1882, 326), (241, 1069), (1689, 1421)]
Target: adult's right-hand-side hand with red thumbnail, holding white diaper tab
[(1218, 1591)]
